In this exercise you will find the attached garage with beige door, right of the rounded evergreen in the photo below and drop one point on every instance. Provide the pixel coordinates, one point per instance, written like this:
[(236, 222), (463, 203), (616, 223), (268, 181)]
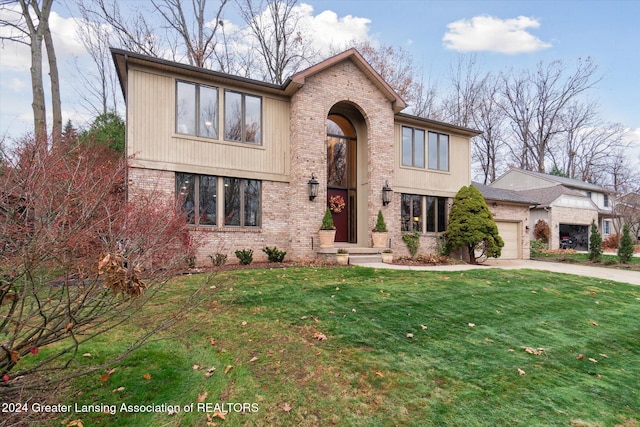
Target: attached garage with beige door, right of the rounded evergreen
[(510, 211)]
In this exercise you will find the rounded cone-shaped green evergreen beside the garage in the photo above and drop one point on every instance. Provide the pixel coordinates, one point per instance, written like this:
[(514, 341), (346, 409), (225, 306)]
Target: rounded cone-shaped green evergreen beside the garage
[(471, 225)]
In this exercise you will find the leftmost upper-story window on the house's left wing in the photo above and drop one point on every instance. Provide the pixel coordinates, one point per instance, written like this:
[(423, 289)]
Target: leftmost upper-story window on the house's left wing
[(196, 109)]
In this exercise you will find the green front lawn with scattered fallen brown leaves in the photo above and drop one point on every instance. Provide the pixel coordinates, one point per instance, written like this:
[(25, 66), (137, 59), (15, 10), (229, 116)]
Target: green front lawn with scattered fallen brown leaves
[(481, 347)]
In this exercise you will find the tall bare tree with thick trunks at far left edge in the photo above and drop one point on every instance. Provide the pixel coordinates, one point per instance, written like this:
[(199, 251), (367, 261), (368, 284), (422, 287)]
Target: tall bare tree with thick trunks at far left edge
[(30, 26)]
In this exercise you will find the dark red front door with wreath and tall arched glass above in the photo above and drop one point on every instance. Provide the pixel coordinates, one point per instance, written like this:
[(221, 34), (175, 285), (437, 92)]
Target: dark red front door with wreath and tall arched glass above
[(341, 177)]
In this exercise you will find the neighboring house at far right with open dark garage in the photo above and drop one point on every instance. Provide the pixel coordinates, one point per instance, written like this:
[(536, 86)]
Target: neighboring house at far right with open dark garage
[(567, 205)]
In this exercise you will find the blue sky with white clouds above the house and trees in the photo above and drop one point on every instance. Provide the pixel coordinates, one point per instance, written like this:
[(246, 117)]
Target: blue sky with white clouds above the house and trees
[(502, 35)]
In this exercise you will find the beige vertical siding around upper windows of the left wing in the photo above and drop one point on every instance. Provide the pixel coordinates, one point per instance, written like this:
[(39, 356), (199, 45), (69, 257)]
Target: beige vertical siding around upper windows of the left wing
[(153, 141)]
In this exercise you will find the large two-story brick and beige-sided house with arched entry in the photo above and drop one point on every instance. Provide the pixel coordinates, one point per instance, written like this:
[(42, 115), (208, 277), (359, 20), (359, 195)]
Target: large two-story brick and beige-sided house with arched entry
[(239, 154)]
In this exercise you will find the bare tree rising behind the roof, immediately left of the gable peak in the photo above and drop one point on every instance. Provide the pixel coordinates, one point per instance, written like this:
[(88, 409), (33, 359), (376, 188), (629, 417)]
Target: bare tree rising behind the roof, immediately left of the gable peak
[(280, 41)]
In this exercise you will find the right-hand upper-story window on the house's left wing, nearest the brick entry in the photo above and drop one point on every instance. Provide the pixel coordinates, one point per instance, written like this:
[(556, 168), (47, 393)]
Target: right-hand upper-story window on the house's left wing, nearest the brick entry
[(242, 117)]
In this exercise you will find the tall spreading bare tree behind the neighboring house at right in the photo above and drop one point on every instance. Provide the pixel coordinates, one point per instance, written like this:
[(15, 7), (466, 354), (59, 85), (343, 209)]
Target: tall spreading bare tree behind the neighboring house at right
[(535, 102)]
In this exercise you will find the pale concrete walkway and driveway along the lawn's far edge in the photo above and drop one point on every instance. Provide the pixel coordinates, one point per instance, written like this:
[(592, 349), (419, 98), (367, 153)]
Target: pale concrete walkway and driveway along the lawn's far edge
[(617, 275)]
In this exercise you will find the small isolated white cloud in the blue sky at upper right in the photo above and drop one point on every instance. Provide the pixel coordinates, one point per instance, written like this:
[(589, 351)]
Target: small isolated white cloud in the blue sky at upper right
[(488, 33)]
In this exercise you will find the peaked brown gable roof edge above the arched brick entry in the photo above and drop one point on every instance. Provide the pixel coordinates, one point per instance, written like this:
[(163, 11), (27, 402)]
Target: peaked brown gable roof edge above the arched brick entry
[(298, 80)]
